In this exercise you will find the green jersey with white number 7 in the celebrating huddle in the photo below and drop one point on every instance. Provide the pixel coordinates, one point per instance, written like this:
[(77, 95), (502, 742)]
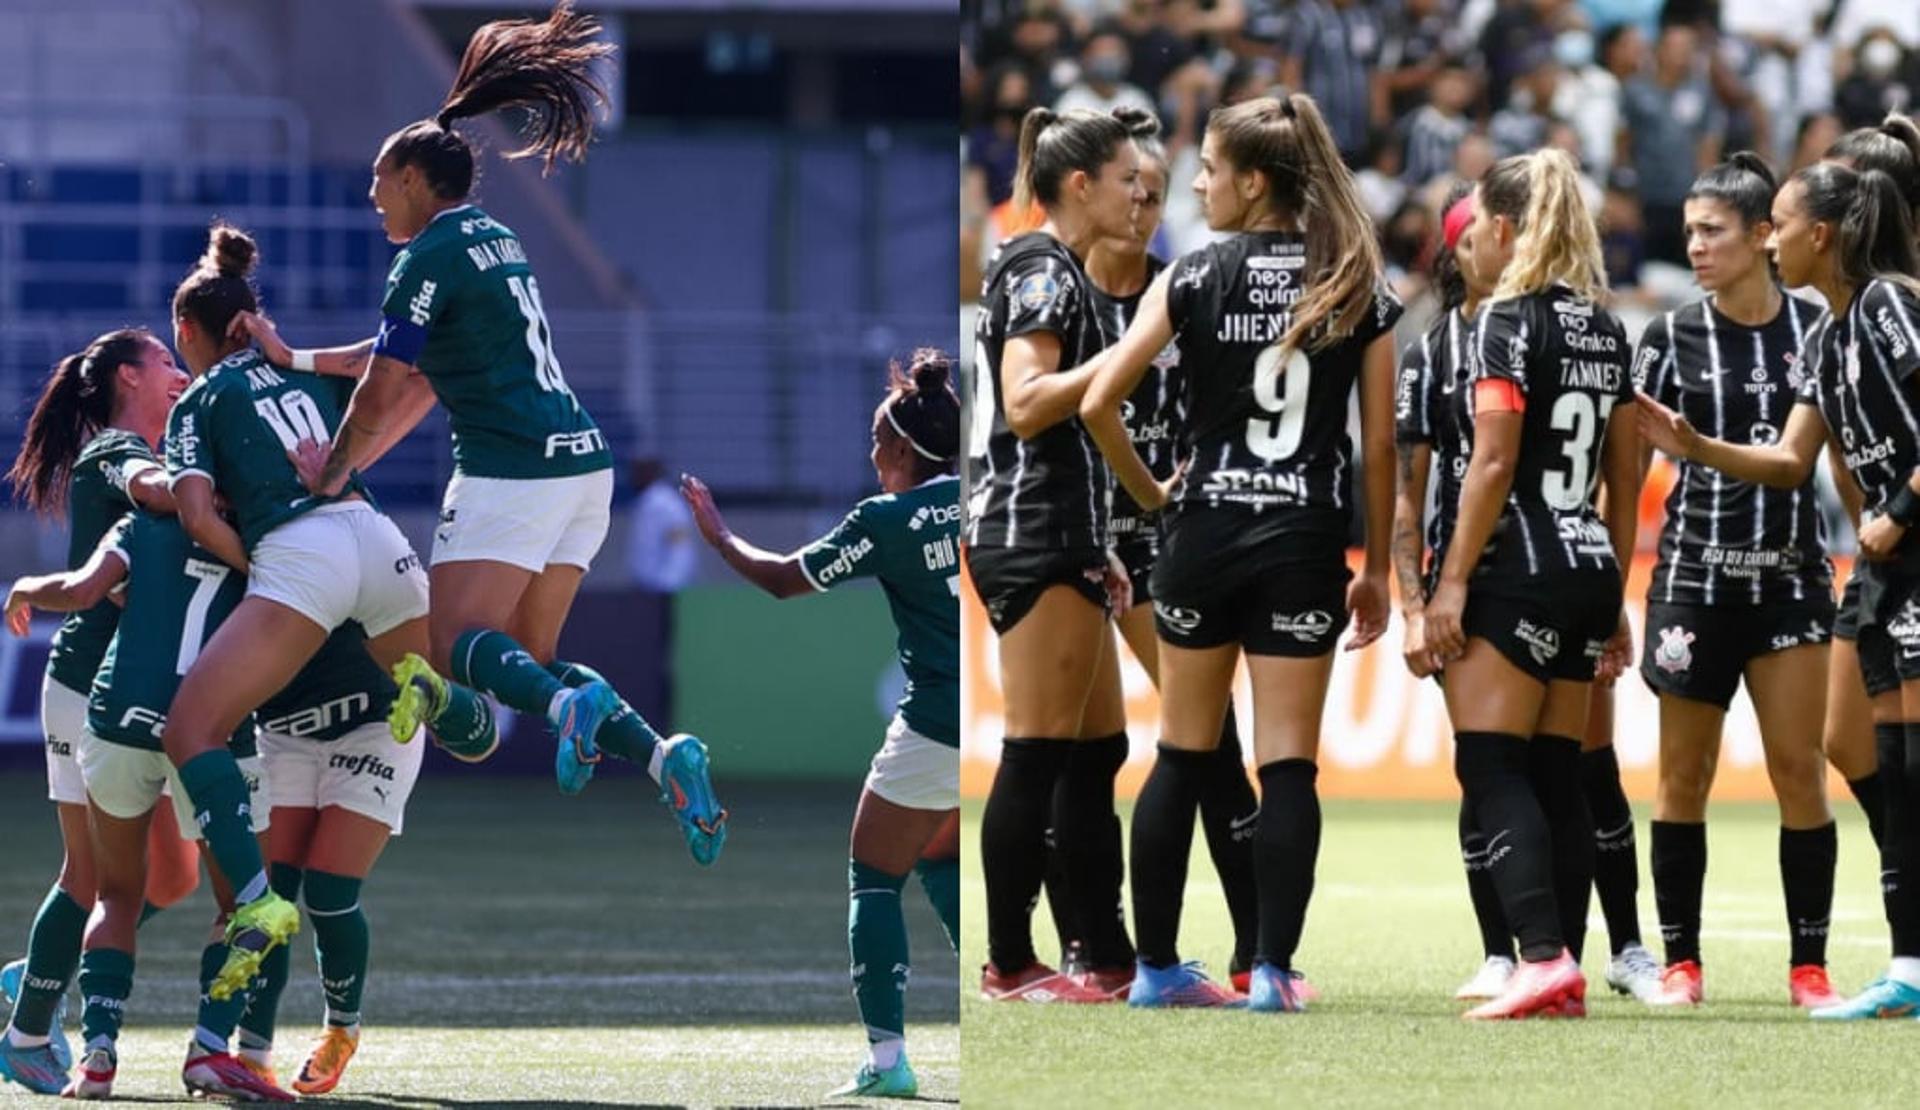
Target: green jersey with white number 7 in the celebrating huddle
[(178, 594)]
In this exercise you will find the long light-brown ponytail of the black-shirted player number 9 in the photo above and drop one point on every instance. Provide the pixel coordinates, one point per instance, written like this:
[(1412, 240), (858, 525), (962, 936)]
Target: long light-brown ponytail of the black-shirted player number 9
[(1289, 143)]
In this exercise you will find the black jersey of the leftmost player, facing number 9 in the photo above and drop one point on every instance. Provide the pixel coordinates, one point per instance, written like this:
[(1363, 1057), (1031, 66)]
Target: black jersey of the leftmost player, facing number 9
[(1051, 491)]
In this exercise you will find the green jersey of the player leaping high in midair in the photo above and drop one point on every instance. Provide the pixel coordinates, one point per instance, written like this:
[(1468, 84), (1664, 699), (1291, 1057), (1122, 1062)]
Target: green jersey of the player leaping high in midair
[(464, 306)]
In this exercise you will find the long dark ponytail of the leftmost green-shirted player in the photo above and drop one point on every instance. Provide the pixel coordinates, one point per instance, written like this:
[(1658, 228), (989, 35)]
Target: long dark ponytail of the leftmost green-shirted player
[(74, 406)]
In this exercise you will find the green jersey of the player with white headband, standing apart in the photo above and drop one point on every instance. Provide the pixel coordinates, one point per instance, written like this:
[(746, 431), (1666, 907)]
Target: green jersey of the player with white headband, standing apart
[(913, 544)]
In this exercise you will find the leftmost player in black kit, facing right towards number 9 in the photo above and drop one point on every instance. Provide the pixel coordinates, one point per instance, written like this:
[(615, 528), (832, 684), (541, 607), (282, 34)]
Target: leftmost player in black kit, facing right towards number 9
[(1036, 550)]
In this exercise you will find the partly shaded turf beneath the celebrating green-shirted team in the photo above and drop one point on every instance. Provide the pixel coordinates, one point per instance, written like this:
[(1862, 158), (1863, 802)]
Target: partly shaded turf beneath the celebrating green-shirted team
[(535, 950)]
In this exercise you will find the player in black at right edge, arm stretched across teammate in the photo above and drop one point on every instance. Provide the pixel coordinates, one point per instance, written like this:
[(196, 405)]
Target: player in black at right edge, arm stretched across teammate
[(1850, 237)]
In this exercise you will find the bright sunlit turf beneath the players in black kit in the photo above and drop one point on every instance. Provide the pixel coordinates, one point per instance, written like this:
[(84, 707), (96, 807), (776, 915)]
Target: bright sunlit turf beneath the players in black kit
[(1391, 936)]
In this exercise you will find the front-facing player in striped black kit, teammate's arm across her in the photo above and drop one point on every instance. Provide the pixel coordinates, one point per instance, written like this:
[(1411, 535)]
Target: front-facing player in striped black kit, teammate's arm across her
[(1742, 589)]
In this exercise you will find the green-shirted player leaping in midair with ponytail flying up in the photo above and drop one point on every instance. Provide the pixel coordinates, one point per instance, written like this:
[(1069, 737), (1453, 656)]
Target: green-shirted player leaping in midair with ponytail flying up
[(533, 477)]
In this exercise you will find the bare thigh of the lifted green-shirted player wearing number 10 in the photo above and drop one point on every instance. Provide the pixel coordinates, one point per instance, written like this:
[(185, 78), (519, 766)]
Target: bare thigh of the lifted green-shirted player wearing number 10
[(254, 654)]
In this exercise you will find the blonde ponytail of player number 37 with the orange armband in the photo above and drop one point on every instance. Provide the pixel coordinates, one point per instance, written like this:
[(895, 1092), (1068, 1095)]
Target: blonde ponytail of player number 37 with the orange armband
[(1558, 241)]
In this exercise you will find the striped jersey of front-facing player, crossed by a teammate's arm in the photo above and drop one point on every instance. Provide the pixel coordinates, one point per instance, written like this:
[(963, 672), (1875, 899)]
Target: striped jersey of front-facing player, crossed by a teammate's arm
[(1731, 543)]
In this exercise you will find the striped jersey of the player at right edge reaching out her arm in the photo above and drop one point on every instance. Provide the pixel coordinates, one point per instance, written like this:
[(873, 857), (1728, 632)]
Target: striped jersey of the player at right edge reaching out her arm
[(1863, 381)]
